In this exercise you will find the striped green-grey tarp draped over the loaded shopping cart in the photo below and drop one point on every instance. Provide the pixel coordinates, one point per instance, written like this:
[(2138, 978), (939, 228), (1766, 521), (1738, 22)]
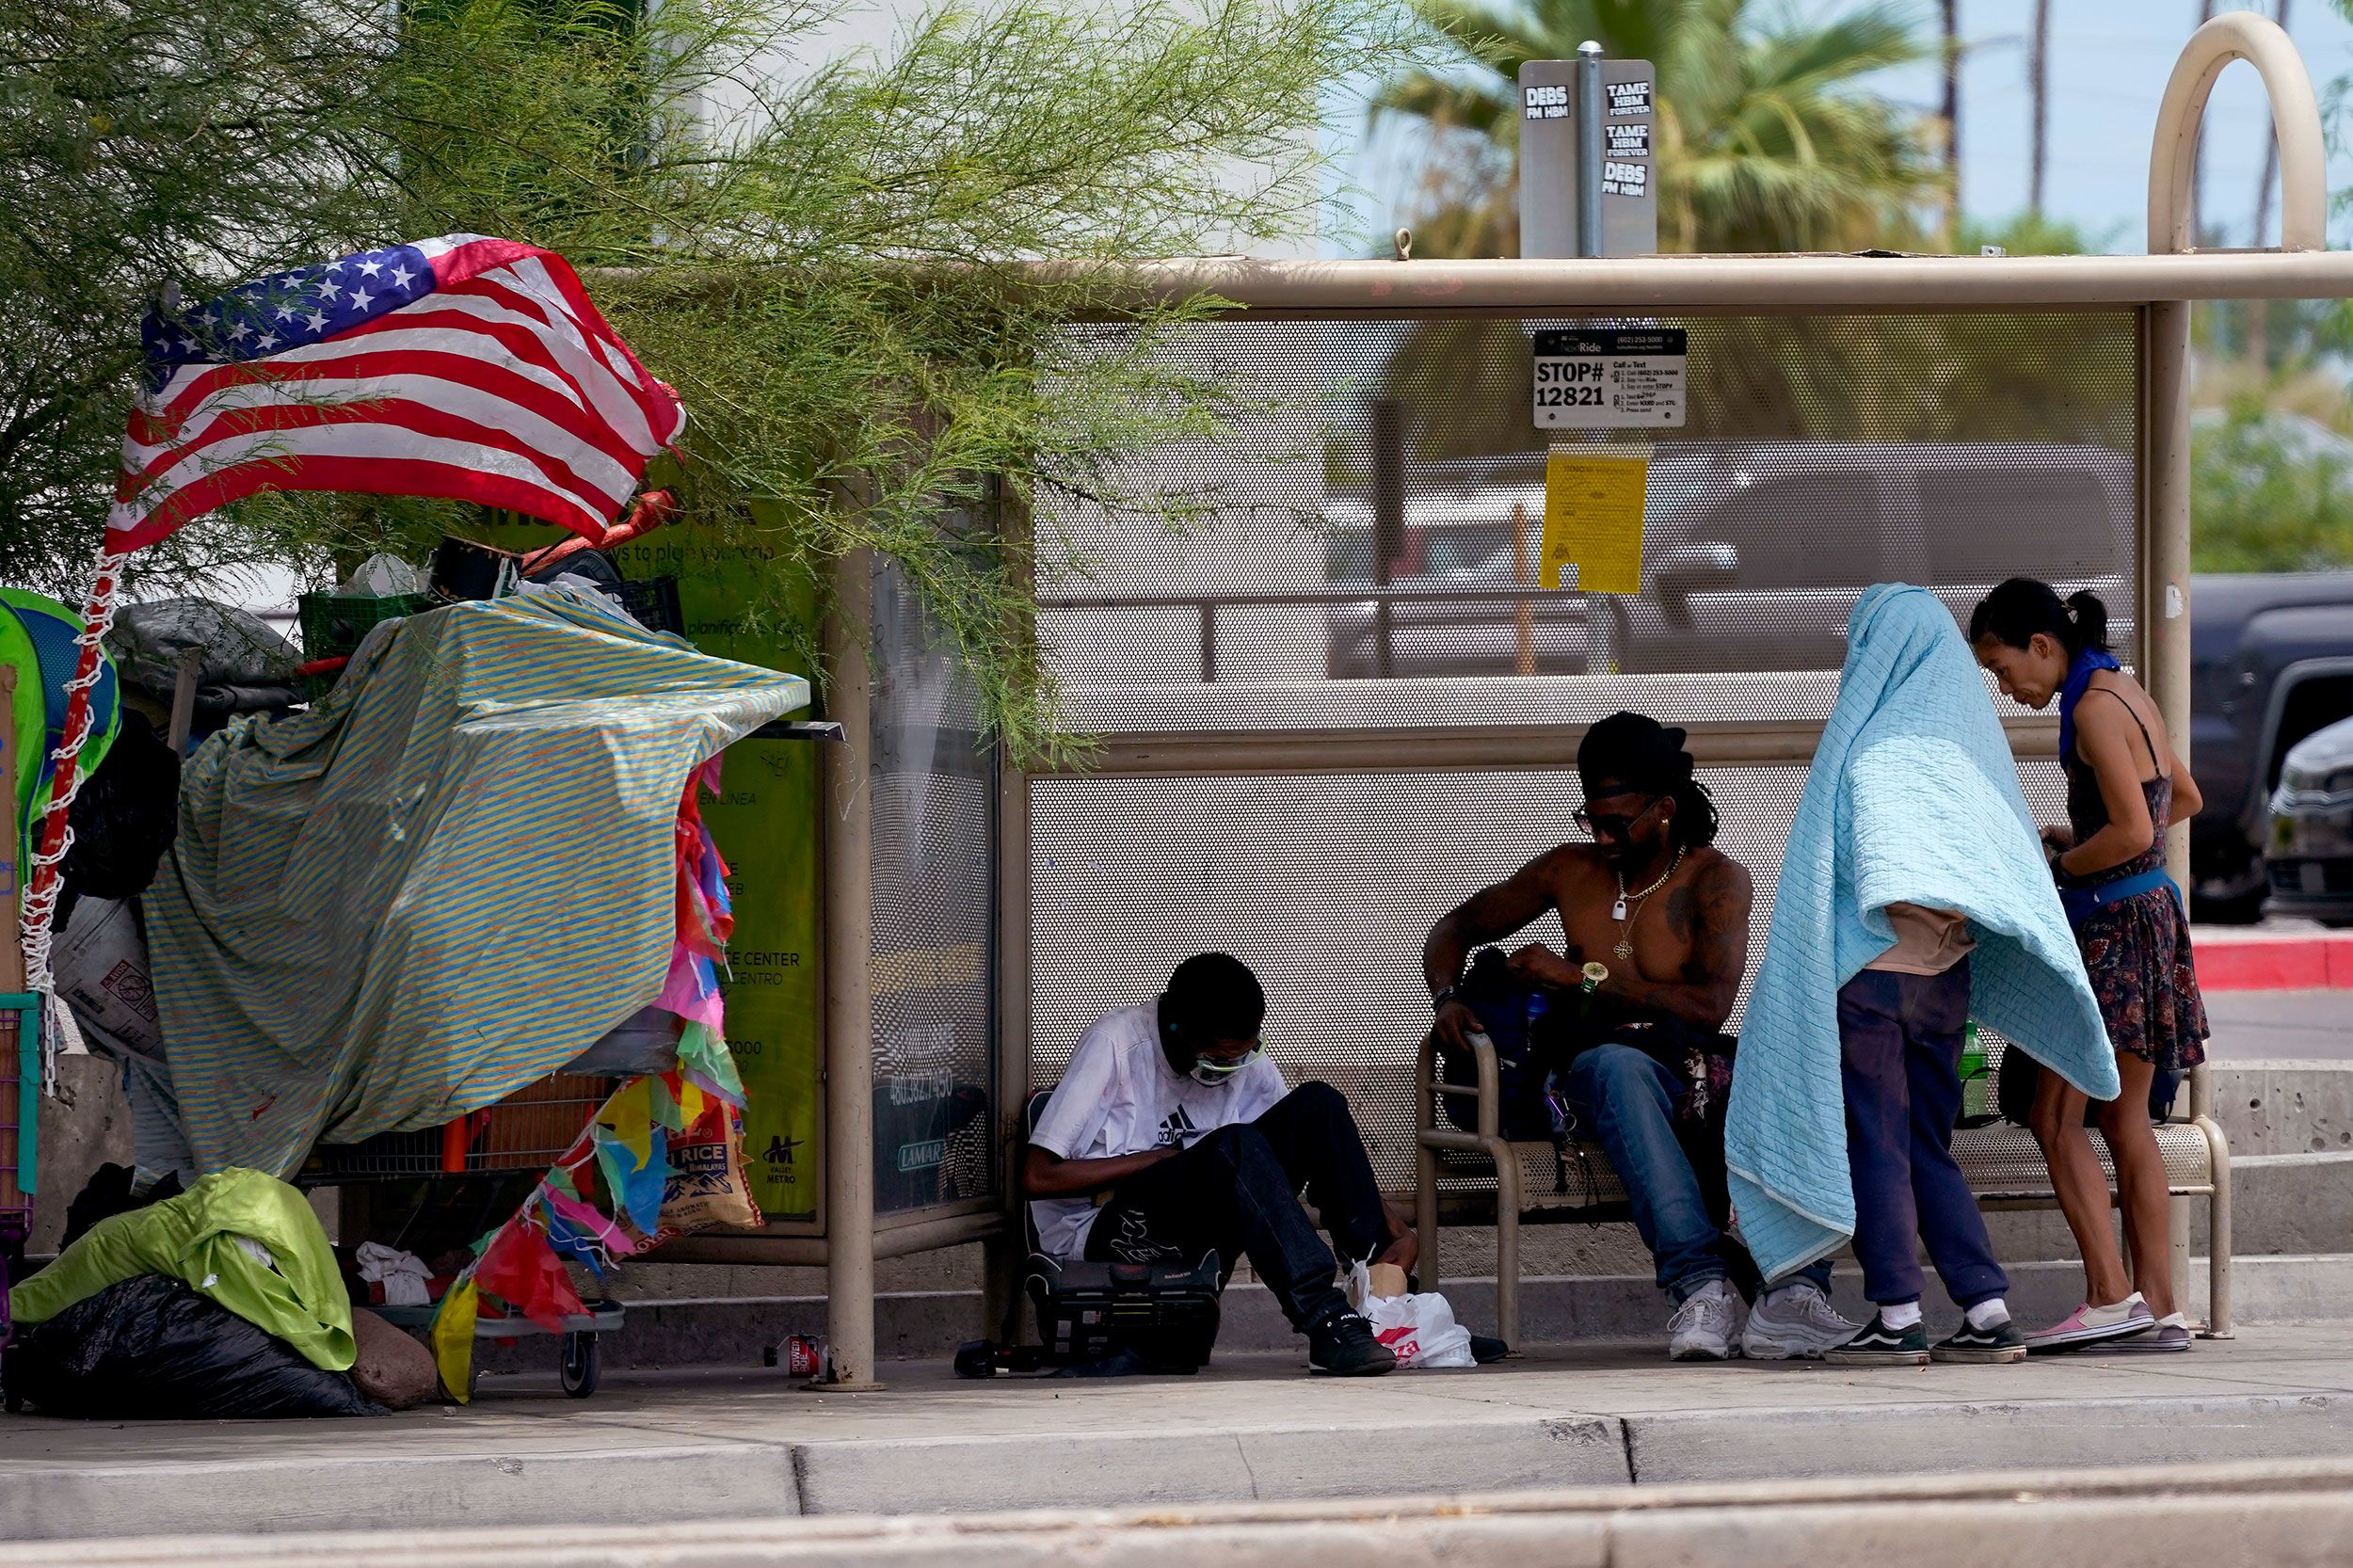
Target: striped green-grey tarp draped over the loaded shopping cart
[(441, 884)]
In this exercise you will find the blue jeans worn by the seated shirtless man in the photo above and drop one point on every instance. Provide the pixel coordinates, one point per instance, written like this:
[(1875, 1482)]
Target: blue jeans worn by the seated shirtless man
[(1627, 1101)]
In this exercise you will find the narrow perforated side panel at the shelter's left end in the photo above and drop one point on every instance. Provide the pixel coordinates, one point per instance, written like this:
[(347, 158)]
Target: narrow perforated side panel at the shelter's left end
[(933, 917)]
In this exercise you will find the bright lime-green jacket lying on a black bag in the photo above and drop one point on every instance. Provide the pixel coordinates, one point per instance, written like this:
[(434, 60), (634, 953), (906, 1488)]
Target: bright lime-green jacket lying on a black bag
[(194, 1237)]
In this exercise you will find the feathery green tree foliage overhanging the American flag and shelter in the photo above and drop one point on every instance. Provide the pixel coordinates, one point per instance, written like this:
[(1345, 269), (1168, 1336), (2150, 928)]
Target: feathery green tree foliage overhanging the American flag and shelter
[(818, 255)]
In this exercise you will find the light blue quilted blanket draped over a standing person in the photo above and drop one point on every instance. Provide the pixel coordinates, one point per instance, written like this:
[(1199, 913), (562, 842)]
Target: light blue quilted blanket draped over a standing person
[(1914, 799)]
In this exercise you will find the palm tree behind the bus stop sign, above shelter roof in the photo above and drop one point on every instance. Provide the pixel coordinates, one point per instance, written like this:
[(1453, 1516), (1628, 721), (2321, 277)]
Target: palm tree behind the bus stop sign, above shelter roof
[(1766, 138)]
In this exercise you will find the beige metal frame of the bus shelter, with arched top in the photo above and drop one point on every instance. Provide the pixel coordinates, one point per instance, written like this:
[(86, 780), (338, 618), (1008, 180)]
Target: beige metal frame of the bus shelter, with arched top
[(2159, 286)]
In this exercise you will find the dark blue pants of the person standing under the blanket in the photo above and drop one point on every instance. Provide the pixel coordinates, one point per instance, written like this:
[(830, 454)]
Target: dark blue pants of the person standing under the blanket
[(1900, 1042)]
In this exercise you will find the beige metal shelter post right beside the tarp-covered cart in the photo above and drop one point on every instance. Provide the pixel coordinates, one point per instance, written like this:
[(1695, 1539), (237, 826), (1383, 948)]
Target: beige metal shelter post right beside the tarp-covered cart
[(851, 1112)]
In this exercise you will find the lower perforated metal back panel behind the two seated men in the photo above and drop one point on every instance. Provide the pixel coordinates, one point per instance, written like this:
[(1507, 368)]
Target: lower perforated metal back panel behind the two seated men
[(1326, 886)]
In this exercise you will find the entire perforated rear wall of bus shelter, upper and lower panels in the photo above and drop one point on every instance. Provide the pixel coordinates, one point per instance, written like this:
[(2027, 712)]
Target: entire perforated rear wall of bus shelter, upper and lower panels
[(1820, 456)]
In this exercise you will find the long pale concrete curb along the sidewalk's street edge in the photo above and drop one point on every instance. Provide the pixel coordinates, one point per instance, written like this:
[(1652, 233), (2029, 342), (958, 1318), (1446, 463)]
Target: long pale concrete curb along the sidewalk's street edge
[(613, 1489)]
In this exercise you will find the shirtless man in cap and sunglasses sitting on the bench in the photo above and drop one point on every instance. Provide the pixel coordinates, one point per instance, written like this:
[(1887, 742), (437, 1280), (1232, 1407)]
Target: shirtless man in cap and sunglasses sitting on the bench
[(1667, 915)]
